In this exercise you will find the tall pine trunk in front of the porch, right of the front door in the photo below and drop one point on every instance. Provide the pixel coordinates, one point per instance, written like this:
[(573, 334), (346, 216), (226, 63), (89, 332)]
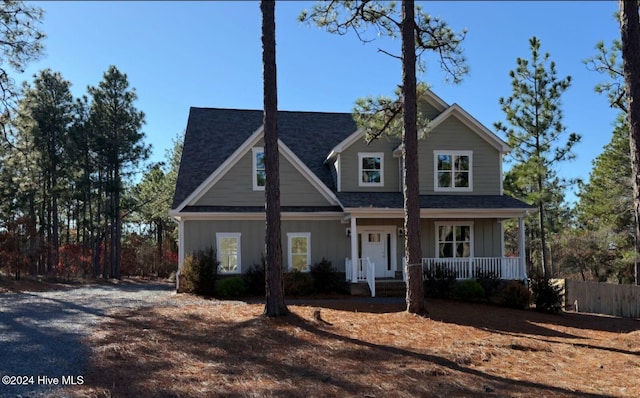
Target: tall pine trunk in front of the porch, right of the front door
[(413, 254)]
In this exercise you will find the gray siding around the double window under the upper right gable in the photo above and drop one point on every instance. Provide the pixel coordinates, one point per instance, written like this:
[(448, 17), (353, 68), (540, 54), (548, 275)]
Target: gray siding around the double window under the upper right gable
[(453, 135)]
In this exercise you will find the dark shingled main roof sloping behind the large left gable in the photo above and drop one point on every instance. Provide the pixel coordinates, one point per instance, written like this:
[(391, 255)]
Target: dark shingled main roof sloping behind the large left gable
[(213, 134)]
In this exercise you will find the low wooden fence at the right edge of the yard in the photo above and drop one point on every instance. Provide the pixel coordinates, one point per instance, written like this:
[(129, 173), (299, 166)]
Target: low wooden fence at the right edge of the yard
[(603, 298)]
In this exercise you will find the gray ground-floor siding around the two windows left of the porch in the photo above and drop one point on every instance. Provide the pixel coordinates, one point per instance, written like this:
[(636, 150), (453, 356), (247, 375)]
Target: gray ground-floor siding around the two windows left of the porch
[(328, 238)]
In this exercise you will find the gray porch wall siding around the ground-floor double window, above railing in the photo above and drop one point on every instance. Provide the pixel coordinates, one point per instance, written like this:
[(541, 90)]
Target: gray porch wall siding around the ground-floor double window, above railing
[(486, 236)]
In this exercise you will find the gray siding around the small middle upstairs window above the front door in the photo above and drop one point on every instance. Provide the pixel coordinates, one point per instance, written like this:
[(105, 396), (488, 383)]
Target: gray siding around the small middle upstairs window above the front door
[(349, 165)]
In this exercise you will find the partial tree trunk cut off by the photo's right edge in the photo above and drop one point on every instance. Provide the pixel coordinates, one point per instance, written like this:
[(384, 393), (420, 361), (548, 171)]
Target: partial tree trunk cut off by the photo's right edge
[(630, 32)]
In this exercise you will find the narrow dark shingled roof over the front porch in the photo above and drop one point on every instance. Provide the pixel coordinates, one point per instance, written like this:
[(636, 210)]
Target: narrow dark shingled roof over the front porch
[(394, 200)]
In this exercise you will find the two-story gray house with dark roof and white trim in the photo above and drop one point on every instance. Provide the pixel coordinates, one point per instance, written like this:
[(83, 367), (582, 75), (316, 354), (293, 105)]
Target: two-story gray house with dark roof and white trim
[(341, 199)]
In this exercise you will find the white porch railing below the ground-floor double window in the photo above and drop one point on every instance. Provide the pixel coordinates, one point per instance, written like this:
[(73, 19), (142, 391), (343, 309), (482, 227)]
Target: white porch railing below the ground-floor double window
[(508, 268)]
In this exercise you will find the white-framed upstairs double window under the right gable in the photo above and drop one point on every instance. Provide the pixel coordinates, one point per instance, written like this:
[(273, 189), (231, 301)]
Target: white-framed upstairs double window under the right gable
[(452, 171)]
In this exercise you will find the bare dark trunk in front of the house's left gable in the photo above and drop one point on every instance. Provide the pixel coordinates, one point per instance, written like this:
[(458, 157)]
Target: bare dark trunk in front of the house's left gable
[(275, 305)]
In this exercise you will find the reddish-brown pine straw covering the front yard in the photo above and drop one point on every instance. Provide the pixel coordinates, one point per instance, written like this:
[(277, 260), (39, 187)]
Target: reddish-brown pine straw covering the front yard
[(199, 348)]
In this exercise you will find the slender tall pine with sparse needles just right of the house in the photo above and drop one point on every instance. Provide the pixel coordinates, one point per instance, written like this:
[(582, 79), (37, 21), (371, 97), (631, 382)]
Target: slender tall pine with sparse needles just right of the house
[(535, 131)]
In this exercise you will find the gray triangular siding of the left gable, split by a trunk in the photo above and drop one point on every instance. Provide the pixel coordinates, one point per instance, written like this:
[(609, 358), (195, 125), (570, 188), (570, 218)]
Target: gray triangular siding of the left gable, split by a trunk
[(235, 188)]
